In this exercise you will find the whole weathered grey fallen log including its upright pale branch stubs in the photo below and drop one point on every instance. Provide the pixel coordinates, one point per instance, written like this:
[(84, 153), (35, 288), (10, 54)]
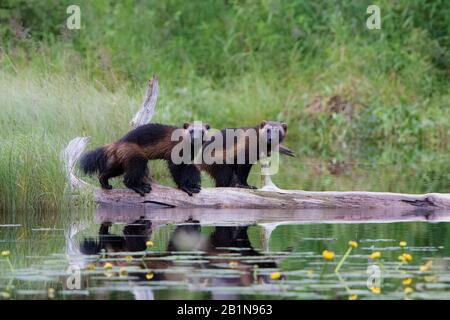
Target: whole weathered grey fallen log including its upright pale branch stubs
[(268, 197)]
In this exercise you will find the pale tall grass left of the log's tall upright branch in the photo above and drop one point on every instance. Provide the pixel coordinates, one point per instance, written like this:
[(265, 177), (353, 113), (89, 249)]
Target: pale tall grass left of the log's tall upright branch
[(39, 116)]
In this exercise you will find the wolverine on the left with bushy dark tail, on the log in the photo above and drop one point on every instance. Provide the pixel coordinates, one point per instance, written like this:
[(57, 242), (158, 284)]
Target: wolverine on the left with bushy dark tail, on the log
[(130, 154)]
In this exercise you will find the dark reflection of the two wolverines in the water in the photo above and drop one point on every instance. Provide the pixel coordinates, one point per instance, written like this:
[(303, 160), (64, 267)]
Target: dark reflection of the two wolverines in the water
[(225, 247)]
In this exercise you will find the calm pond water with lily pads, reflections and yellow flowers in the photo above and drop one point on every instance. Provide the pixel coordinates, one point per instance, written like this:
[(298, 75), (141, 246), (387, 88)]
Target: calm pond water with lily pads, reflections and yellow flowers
[(215, 254)]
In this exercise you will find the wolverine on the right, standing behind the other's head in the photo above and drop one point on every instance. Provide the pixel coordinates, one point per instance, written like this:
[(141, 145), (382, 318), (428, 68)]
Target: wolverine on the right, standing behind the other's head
[(231, 160)]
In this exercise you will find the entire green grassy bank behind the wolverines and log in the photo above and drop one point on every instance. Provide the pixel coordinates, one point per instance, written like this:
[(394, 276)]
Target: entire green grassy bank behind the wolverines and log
[(366, 109)]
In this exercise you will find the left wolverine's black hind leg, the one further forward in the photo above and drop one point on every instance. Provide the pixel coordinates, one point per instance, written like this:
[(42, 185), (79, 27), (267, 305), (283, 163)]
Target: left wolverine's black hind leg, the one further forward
[(135, 172)]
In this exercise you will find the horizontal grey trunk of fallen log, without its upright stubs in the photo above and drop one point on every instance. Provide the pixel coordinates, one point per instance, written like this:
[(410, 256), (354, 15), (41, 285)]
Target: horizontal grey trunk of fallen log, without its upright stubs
[(260, 199)]
